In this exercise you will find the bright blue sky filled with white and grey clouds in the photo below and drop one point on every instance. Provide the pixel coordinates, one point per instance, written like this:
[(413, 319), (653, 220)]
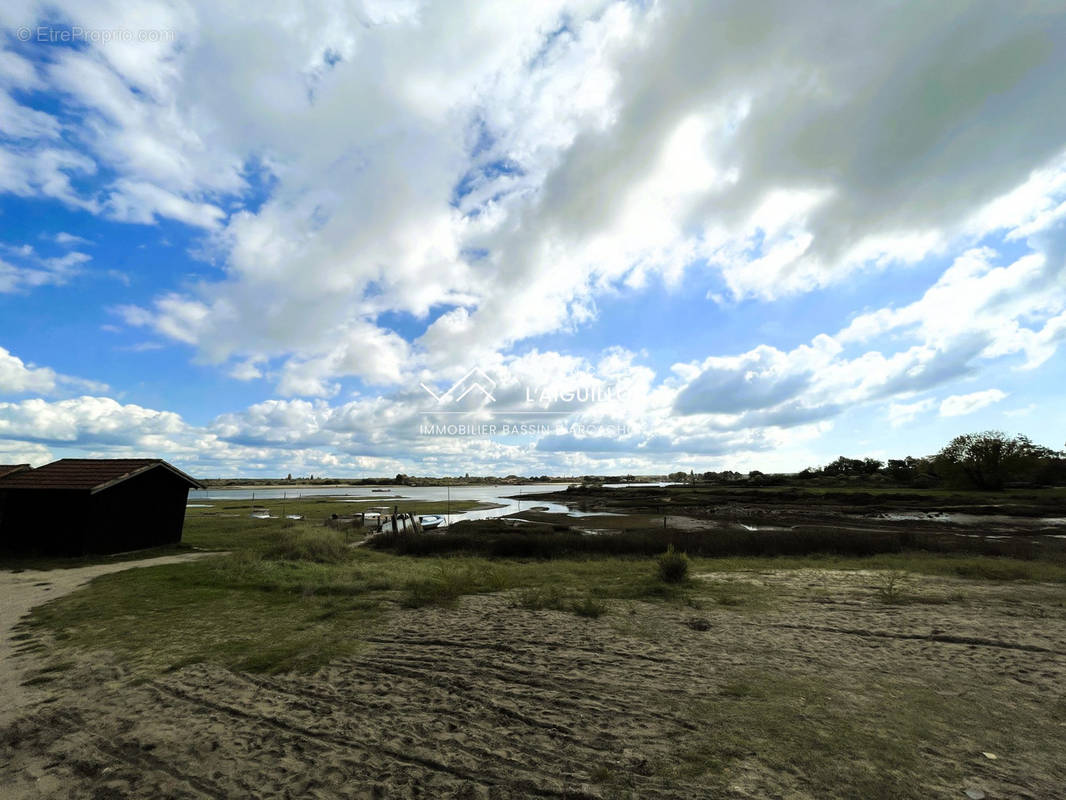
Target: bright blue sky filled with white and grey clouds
[(442, 238)]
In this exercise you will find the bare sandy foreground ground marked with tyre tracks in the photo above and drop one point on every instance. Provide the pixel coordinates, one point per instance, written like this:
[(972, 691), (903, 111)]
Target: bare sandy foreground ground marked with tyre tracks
[(492, 701)]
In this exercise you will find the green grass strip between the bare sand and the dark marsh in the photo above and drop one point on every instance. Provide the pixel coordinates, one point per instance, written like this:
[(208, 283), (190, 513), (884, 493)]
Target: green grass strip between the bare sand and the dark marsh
[(296, 599)]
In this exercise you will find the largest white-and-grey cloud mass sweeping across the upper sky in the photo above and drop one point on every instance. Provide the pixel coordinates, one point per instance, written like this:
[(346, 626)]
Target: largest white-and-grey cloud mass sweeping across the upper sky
[(506, 169)]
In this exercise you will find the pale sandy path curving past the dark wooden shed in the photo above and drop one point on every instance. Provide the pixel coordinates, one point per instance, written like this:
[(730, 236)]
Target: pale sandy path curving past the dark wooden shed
[(22, 591)]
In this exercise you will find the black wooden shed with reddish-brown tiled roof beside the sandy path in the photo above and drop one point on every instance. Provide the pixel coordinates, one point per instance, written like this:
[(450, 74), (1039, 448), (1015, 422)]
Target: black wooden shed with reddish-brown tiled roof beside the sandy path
[(80, 506)]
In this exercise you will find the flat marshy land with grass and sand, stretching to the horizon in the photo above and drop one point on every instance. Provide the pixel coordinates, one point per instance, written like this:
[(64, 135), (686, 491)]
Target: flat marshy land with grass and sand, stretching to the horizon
[(659, 645)]
